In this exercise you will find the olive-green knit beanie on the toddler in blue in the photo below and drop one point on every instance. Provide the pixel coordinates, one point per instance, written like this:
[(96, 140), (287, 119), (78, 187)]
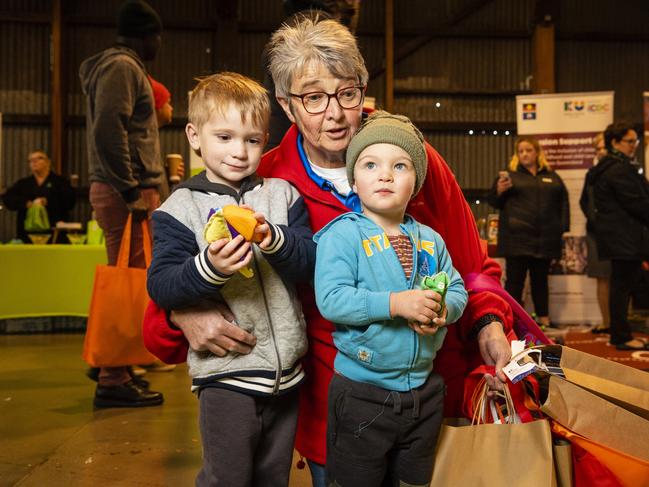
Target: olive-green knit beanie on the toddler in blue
[(384, 128)]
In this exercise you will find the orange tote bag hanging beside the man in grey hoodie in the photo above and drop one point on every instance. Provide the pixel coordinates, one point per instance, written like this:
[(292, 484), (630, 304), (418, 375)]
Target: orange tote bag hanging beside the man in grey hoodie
[(119, 299)]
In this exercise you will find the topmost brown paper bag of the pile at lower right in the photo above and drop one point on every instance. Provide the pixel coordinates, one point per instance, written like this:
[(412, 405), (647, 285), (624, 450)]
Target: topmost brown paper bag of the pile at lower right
[(622, 385)]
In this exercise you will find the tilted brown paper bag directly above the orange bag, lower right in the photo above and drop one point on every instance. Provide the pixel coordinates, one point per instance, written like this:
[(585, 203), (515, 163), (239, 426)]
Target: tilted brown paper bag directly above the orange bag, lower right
[(596, 418)]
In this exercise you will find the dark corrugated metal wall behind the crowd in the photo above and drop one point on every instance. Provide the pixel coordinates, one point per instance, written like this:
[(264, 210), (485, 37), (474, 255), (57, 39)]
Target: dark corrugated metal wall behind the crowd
[(463, 78)]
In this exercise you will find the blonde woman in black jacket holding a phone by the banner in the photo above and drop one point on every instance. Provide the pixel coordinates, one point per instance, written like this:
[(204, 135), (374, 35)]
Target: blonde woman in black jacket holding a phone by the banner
[(534, 213)]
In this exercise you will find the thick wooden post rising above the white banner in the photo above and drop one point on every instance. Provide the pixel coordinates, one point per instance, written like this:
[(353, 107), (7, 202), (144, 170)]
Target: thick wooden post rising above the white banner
[(543, 57)]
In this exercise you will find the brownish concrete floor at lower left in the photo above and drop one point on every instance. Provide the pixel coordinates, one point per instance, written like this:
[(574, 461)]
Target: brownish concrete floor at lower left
[(50, 435)]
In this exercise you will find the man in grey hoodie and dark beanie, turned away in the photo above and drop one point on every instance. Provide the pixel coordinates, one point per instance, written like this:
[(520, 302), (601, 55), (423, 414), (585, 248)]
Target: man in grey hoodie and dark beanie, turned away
[(124, 160)]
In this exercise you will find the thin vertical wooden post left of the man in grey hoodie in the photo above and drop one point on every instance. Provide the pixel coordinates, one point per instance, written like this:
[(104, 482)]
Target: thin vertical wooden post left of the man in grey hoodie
[(56, 93)]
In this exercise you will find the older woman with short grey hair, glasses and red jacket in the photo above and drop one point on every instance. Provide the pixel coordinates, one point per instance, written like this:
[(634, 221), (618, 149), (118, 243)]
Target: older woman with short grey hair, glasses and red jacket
[(320, 80)]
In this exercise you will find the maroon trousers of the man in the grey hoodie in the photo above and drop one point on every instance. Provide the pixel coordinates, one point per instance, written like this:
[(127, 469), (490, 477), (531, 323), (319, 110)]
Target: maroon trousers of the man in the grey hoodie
[(111, 213)]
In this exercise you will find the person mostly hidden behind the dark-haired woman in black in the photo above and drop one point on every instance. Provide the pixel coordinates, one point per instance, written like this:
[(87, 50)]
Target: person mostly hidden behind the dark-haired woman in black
[(597, 268)]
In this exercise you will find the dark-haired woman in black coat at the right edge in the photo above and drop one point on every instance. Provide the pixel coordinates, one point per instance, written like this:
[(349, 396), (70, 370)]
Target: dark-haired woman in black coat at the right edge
[(621, 222)]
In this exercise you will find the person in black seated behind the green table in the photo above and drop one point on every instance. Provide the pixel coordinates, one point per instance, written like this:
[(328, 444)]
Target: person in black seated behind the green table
[(43, 187)]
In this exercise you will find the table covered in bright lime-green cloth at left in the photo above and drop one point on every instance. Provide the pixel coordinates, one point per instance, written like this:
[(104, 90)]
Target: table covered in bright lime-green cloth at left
[(47, 280)]
